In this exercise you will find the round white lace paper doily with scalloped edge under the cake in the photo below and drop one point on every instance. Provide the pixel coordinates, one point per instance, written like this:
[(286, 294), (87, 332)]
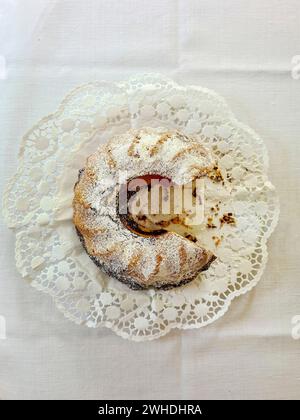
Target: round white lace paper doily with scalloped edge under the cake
[(37, 205)]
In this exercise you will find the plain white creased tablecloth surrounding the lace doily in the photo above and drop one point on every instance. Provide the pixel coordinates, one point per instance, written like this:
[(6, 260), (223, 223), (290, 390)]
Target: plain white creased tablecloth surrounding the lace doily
[(243, 50)]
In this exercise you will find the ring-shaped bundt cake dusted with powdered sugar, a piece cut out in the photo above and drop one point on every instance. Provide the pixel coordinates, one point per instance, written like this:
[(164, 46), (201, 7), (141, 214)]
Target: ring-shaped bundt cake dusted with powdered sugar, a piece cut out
[(139, 248)]
